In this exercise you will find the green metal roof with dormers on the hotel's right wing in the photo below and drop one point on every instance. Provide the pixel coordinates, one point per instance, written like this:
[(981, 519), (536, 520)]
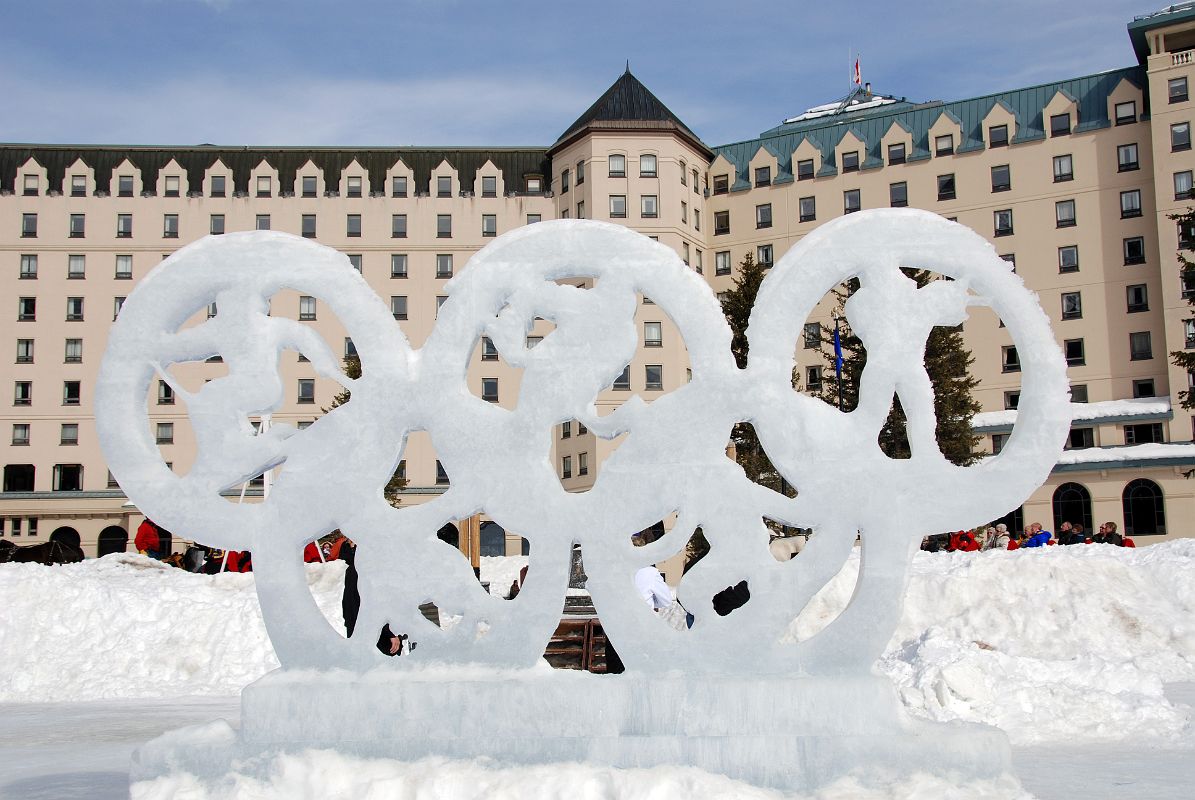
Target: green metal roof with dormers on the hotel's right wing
[(1026, 105)]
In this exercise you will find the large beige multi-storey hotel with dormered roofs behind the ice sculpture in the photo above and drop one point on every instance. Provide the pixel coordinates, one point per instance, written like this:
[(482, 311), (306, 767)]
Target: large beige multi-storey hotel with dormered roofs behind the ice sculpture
[(1071, 181)]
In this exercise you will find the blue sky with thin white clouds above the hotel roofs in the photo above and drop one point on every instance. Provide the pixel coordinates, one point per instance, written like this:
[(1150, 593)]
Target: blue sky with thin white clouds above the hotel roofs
[(493, 74)]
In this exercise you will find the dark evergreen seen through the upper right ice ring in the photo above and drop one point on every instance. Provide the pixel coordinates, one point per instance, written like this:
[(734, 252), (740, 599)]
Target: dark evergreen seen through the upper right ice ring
[(948, 364)]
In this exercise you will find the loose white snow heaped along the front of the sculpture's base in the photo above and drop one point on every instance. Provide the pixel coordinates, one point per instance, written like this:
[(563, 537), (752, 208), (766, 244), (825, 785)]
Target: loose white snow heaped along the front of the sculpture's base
[(329, 774)]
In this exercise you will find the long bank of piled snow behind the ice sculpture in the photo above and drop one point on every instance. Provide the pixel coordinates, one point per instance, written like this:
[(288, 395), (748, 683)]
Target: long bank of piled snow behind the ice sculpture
[(1052, 645)]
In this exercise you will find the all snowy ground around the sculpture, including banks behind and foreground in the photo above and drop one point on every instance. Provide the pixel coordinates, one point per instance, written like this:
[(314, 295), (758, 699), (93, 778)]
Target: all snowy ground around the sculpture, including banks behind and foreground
[(1068, 650)]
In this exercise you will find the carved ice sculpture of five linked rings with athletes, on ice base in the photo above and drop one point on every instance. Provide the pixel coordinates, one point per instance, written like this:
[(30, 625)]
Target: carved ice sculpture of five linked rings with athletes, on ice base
[(713, 695)]
